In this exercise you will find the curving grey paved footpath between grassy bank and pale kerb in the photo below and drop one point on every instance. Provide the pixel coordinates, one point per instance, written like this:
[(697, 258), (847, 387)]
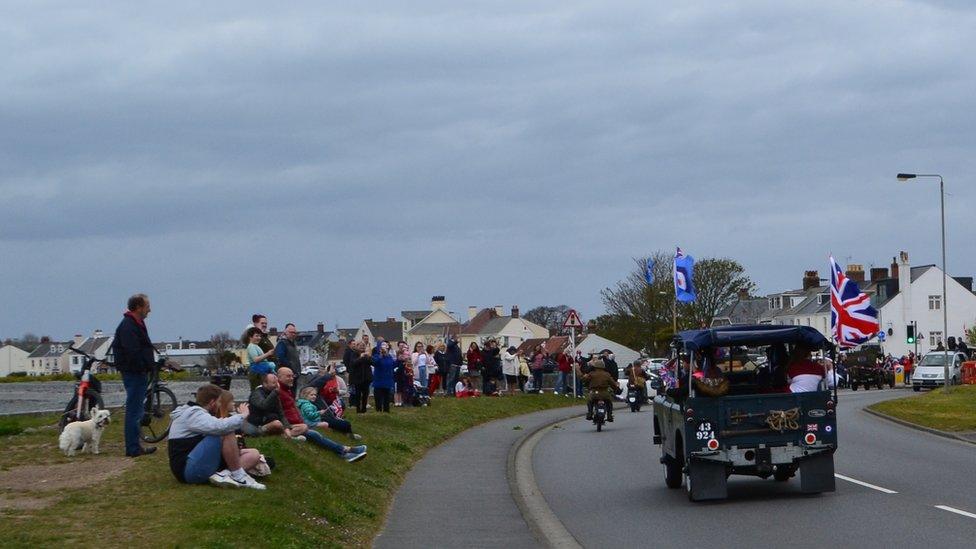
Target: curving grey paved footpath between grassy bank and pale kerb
[(458, 494)]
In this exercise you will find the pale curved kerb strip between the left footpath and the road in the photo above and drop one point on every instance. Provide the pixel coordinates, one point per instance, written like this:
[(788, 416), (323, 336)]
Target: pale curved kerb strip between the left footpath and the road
[(543, 523)]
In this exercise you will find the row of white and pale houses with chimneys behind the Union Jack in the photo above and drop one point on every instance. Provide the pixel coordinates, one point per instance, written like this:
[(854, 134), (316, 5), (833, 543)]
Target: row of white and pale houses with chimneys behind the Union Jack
[(902, 293)]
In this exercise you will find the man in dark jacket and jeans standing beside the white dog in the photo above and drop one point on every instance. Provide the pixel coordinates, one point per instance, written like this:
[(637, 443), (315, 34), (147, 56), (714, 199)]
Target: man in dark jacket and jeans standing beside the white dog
[(134, 357)]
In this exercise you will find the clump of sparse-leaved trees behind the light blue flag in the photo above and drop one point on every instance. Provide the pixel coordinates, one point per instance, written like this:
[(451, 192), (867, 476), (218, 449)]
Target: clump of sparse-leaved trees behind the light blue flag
[(646, 313)]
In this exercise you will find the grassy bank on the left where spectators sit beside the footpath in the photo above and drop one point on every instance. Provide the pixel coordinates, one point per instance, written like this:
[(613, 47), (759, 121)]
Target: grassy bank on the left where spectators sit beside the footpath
[(313, 499)]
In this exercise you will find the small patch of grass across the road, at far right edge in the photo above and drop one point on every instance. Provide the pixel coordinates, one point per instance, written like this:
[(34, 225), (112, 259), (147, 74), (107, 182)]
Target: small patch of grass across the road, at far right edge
[(955, 411)]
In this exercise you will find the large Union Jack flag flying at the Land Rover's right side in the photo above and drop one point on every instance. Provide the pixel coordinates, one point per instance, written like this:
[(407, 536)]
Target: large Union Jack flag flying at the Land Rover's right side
[(853, 320)]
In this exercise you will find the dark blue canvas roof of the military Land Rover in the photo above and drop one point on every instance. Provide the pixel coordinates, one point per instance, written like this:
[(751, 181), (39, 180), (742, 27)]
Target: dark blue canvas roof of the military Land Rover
[(752, 336)]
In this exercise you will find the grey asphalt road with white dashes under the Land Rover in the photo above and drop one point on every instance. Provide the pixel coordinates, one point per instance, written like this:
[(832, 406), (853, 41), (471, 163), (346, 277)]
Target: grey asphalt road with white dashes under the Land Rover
[(608, 489)]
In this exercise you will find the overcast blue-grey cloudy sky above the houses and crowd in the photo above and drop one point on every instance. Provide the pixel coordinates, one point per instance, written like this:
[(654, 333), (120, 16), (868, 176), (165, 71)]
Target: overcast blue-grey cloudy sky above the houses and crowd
[(335, 161)]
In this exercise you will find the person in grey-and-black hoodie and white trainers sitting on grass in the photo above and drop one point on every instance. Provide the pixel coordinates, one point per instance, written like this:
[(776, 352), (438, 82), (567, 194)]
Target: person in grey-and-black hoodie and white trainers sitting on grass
[(203, 448)]
